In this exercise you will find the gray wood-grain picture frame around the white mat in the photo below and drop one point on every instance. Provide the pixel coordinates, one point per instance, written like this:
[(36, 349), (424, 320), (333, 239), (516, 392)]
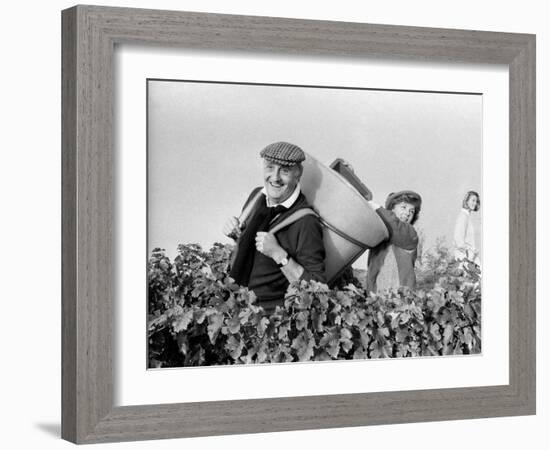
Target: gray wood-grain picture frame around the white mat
[(89, 36)]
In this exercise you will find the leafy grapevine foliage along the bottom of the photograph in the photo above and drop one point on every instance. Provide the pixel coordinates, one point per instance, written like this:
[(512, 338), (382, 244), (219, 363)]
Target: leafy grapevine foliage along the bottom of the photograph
[(198, 316)]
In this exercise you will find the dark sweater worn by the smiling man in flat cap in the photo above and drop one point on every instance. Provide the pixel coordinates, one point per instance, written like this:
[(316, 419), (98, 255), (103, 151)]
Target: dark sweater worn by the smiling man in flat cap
[(302, 240)]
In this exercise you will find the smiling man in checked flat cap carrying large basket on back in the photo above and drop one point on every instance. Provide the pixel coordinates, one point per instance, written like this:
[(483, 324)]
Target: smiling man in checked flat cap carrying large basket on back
[(267, 261)]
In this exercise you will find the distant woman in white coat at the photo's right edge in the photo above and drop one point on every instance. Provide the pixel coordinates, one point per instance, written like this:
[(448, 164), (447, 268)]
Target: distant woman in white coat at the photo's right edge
[(464, 234)]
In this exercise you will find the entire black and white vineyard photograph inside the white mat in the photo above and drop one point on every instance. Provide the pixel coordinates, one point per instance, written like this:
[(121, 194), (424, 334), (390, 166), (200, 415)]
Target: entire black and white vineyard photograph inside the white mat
[(303, 223)]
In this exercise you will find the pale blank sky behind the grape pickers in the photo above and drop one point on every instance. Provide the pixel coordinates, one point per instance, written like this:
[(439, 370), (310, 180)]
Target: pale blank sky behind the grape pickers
[(204, 141)]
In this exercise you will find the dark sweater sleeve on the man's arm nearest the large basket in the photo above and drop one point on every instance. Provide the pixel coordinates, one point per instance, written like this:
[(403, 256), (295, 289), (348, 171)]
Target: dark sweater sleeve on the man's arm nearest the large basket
[(310, 249)]
